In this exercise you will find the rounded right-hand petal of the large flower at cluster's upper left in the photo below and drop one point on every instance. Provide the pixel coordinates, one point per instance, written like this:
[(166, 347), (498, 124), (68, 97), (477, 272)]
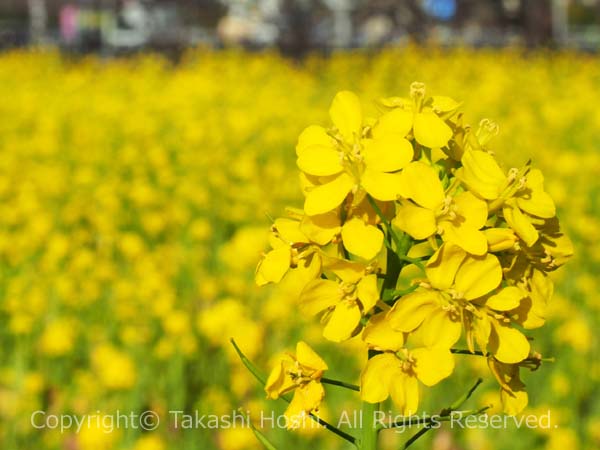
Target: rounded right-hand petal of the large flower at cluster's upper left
[(387, 153)]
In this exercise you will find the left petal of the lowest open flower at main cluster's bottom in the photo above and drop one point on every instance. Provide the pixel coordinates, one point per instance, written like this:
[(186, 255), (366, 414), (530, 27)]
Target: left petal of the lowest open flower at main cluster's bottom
[(376, 376)]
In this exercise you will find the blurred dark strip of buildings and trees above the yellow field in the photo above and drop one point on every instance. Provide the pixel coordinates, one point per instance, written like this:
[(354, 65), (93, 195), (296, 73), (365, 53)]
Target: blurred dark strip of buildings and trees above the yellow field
[(296, 26)]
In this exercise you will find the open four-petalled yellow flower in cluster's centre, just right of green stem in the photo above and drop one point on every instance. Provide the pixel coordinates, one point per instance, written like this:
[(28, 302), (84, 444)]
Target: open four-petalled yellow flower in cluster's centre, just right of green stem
[(458, 219)]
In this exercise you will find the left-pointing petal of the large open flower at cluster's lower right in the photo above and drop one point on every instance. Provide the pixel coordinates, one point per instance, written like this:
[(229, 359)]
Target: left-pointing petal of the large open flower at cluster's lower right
[(410, 311)]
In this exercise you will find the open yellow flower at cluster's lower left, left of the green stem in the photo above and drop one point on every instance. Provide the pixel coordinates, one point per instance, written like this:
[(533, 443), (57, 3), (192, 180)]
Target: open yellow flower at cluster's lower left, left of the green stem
[(344, 301)]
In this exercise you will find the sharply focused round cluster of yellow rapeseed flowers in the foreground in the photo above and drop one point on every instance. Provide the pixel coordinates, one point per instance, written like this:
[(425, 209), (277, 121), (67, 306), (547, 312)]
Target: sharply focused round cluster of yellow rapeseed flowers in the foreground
[(413, 236)]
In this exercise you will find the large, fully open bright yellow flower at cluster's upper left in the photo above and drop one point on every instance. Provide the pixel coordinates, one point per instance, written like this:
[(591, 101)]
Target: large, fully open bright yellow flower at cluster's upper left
[(346, 162)]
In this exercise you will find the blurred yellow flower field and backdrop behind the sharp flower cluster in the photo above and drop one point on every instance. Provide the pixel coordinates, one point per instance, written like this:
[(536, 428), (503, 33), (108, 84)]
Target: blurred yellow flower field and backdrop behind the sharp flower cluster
[(144, 147)]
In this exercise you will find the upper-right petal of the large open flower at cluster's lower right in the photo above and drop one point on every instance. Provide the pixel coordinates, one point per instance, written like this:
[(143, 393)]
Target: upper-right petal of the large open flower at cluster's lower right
[(477, 276)]
